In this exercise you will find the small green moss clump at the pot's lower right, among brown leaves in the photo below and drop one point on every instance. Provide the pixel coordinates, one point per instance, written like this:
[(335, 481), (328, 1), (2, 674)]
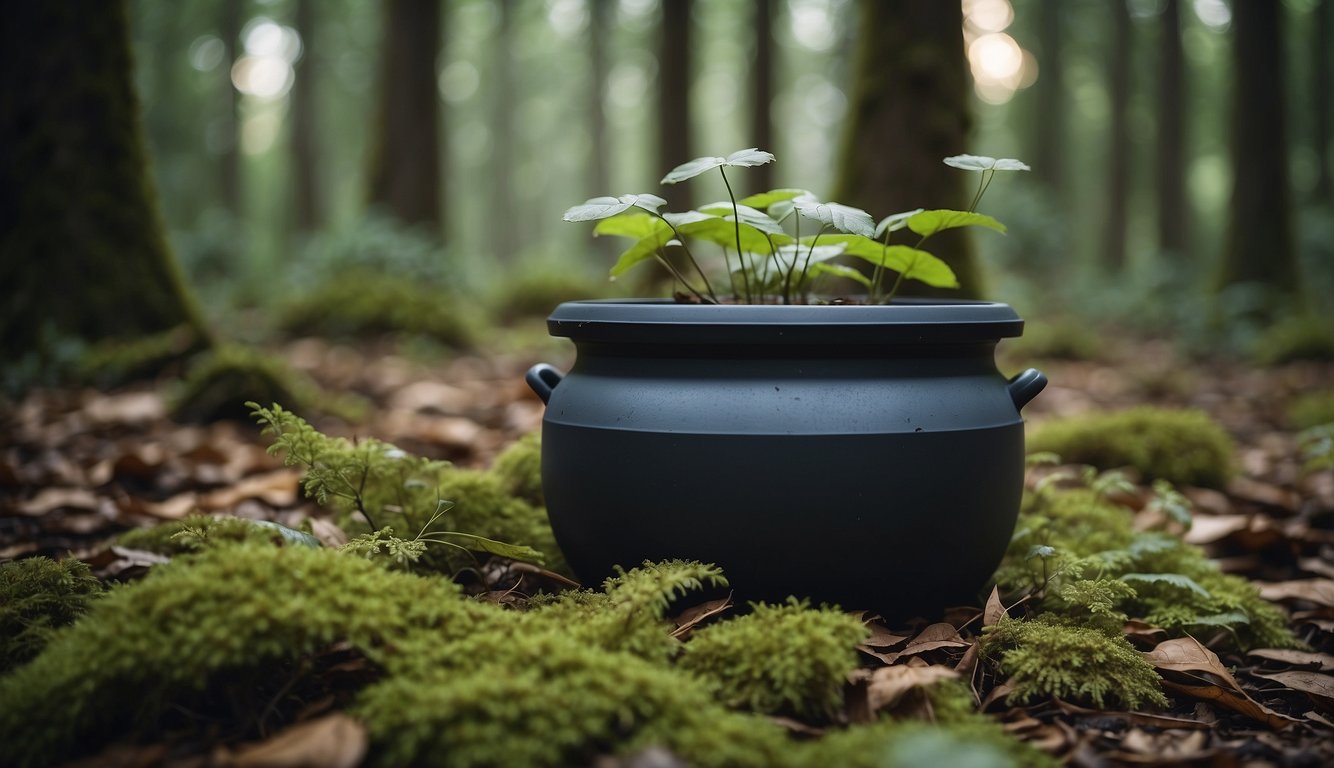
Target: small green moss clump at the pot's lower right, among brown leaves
[(1047, 658)]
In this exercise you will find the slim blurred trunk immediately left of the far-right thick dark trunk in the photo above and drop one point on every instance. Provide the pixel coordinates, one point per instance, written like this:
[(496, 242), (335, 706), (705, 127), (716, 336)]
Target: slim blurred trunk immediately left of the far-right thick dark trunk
[(1171, 171)]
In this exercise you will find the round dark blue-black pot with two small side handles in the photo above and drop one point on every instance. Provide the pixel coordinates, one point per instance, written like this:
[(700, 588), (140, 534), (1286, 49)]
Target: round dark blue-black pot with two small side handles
[(866, 457)]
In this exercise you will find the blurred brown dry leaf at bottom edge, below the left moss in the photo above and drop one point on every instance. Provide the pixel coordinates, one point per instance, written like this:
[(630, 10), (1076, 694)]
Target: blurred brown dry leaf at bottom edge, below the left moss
[(331, 742)]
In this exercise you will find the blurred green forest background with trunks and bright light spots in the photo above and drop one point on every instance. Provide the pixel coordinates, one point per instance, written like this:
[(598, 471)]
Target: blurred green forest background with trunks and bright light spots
[(311, 154)]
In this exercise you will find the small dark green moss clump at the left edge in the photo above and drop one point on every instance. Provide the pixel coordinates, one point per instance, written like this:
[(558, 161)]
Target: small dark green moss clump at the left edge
[(38, 597)]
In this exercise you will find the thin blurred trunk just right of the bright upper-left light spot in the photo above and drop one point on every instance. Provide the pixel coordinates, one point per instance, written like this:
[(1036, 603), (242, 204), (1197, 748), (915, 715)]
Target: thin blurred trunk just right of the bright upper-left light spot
[(306, 189)]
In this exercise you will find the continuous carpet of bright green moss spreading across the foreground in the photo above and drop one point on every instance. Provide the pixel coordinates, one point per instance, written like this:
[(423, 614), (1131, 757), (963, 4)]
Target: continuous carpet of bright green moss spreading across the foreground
[(233, 639)]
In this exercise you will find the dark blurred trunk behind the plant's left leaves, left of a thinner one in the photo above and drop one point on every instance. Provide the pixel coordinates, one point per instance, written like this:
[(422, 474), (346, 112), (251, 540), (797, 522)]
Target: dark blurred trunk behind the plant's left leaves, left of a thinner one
[(674, 79)]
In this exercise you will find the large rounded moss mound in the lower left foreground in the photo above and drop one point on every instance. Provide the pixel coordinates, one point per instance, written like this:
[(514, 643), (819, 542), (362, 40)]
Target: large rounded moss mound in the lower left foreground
[(230, 623)]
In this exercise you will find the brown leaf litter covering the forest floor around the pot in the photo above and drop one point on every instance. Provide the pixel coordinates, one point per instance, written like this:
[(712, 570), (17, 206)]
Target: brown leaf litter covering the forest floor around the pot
[(78, 467)]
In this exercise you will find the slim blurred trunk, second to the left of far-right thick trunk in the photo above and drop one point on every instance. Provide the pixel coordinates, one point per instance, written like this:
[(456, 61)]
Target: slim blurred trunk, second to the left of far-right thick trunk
[(1119, 142)]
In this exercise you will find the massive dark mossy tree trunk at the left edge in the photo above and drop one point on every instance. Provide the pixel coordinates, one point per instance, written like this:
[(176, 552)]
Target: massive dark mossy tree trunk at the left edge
[(82, 246)]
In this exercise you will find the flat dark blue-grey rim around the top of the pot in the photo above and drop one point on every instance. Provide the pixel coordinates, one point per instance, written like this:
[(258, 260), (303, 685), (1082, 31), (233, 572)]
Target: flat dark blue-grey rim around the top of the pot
[(902, 322)]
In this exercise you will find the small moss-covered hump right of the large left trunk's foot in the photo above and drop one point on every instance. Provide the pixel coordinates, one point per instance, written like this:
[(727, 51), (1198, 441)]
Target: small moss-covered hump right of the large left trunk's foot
[(221, 382)]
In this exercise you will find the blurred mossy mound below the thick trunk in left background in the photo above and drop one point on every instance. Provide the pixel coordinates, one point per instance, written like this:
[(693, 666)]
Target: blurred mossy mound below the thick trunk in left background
[(366, 302)]
